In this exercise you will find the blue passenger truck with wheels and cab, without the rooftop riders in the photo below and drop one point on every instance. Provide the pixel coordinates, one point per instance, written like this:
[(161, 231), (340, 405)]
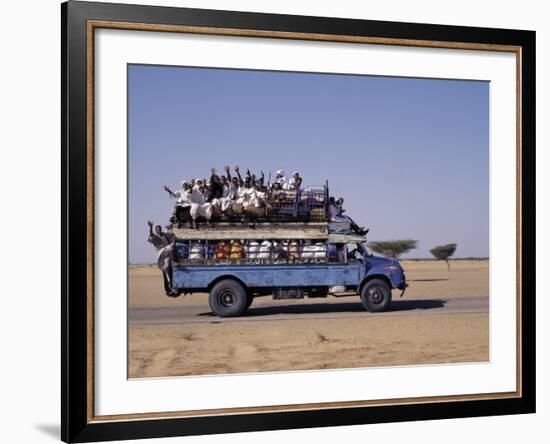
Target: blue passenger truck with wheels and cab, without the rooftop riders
[(235, 264)]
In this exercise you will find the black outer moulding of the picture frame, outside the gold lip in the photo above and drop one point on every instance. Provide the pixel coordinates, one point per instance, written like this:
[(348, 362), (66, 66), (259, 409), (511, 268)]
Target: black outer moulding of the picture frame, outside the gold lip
[(74, 423)]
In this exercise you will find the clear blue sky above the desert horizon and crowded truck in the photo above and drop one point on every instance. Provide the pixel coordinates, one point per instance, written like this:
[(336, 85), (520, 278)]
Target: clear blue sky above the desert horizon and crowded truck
[(410, 156)]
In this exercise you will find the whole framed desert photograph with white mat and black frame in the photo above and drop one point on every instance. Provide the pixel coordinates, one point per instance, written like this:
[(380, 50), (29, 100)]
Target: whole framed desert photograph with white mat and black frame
[(275, 221)]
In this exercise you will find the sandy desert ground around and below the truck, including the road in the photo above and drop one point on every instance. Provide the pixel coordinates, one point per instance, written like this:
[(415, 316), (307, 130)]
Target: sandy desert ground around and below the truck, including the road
[(442, 318)]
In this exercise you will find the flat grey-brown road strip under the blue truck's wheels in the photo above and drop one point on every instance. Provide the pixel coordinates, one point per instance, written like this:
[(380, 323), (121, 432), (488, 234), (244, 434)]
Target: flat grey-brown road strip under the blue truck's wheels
[(266, 309)]
